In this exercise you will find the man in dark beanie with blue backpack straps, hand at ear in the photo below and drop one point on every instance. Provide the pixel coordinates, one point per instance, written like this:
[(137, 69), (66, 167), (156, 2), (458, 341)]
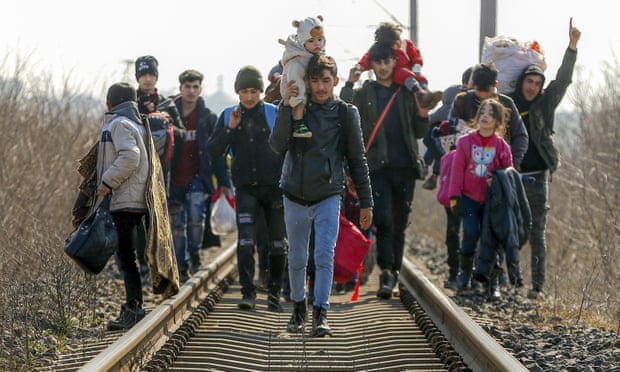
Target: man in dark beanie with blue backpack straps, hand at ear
[(245, 129)]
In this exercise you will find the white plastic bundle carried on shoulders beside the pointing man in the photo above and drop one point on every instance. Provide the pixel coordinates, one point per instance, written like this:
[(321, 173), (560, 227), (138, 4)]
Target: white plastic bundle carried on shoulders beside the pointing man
[(511, 57)]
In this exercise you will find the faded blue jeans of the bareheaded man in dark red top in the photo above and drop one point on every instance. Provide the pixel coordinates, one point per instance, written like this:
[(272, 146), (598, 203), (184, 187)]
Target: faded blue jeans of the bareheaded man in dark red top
[(187, 208)]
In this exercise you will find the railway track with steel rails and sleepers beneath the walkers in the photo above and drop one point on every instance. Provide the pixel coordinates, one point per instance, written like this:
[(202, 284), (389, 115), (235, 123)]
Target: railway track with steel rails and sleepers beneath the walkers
[(201, 329)]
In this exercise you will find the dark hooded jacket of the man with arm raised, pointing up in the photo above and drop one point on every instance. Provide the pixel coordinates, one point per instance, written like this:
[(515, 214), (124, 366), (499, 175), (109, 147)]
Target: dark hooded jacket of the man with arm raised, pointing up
[(542, 109)]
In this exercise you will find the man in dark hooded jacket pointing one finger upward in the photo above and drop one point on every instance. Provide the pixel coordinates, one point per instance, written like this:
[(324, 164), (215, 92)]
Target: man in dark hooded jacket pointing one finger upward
[(537, 108)]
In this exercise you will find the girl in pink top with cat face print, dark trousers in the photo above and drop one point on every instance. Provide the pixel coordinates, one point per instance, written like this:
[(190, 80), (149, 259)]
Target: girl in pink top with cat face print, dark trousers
[(477, 154)]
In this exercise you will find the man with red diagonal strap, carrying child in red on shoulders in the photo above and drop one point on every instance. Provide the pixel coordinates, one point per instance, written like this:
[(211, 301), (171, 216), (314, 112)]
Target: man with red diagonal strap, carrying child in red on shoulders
[(392, 158)]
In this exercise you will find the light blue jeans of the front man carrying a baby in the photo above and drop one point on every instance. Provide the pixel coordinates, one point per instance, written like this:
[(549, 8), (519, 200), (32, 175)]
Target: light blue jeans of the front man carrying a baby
[(299, 219)]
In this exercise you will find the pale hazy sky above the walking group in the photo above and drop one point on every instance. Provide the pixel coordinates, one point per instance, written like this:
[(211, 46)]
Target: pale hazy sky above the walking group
[(90, 40)]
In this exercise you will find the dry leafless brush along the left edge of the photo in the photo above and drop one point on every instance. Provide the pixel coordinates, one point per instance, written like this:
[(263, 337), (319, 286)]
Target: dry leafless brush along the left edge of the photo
[(43, 134)]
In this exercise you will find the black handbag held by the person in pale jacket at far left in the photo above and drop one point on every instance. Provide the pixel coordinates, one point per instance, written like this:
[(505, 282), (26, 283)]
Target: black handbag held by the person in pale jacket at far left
[(95, 240)]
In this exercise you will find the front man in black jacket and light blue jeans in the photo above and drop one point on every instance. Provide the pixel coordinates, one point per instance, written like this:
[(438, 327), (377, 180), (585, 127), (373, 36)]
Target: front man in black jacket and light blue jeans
[(313, 180)]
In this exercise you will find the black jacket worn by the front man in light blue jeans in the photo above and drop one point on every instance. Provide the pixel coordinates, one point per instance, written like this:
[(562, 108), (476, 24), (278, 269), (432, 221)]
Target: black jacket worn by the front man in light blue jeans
[(314, 168)]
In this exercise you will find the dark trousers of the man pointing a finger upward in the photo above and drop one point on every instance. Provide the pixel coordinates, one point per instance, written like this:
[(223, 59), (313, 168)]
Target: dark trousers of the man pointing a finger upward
[(537, 194)]
